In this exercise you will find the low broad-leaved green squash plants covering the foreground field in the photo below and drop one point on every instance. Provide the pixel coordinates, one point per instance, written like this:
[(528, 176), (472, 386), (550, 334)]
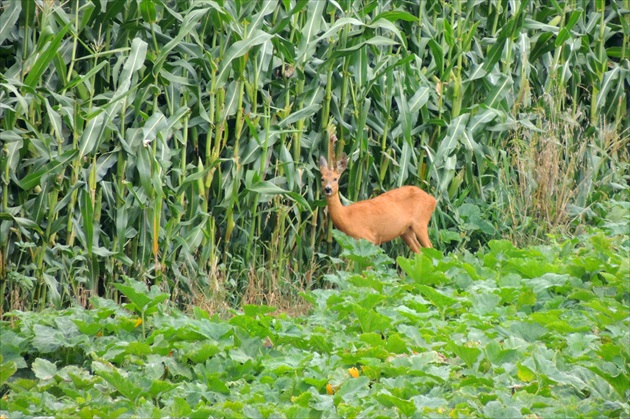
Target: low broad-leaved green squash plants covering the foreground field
[(450, 337)]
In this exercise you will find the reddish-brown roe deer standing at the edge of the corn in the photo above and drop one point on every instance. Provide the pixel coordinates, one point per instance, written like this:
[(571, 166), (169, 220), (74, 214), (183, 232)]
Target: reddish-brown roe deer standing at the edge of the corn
[(402, 212)]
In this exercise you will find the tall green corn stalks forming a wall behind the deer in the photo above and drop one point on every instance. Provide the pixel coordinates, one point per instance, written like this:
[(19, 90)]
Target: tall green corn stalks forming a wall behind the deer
[(176, 141)]
